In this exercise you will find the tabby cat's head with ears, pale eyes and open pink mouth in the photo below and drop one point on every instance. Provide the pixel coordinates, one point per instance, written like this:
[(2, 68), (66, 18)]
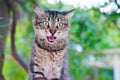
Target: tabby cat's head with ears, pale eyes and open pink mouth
[(51, 25)]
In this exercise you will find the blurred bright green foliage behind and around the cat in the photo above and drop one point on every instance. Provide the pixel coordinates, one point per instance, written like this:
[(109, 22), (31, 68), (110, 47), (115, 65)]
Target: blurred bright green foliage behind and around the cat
[(90, 29)]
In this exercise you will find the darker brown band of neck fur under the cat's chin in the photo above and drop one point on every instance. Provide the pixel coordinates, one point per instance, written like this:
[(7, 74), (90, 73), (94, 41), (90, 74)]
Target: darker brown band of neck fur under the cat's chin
[(51, 47)]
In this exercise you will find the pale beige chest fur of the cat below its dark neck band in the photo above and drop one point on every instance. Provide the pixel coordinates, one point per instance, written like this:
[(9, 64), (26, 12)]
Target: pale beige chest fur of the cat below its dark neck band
[(51, 62)]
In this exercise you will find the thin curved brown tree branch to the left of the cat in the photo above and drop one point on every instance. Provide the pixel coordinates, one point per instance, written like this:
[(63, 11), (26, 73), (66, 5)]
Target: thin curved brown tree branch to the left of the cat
[(14, 52)]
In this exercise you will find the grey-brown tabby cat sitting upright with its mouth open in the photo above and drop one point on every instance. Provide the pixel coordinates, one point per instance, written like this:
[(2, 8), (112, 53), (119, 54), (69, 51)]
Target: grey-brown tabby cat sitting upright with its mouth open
[(50, 44)]
